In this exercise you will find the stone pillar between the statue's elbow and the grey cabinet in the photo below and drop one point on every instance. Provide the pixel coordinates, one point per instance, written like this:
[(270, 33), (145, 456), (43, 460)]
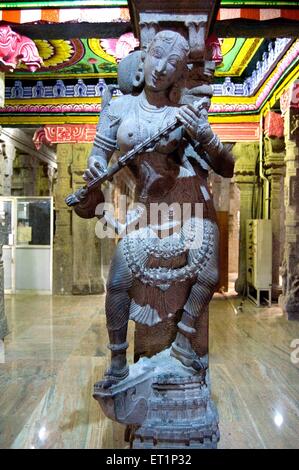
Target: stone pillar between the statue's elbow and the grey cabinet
[(246, 155)]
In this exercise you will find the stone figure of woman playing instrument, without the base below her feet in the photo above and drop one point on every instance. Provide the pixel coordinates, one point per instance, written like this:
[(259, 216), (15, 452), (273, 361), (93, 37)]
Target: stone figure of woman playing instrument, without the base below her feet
[(153, 276)]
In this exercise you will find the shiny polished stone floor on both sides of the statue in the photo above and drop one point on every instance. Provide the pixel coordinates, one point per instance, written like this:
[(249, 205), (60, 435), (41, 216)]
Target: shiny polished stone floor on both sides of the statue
[(57, 350)]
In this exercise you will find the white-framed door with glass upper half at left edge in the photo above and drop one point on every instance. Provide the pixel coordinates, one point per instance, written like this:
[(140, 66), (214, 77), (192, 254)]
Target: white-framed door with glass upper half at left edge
[(27, 236)]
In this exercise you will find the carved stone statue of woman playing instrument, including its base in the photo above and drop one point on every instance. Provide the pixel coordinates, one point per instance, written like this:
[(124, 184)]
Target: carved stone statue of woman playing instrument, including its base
[(166, 266)]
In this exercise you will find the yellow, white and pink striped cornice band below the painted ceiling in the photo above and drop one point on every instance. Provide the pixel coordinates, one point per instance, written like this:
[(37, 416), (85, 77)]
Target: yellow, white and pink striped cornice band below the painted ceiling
[(83, 108)]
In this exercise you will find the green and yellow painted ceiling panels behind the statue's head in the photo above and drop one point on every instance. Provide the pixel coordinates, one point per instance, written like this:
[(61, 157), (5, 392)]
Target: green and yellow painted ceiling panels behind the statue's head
[(87, 58)]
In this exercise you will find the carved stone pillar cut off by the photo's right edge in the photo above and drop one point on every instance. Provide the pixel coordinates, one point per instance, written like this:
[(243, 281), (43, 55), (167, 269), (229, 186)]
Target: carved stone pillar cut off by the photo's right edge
[(290, 293)]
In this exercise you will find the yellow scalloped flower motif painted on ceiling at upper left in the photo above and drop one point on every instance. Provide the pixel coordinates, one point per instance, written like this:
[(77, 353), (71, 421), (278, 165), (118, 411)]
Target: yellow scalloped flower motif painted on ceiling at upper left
[(55, 51)]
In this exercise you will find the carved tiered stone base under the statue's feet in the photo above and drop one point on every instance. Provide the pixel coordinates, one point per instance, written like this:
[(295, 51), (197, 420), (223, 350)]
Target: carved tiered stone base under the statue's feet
[(166, 404)]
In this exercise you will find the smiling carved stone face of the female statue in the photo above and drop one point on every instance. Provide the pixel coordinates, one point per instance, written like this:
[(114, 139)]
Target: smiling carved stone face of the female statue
[(163, 65)]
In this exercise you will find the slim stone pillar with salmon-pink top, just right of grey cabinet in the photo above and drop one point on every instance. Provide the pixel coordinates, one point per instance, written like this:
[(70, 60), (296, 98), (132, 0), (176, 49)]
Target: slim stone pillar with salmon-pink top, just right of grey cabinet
[(274, 169)]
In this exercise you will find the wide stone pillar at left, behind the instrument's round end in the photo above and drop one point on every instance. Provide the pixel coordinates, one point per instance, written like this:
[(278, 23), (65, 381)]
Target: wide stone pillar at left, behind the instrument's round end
[(77, 257)]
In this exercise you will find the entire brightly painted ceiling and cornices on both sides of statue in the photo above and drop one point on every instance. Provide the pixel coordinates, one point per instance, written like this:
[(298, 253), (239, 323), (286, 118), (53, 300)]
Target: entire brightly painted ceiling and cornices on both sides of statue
[(69, 84)]
